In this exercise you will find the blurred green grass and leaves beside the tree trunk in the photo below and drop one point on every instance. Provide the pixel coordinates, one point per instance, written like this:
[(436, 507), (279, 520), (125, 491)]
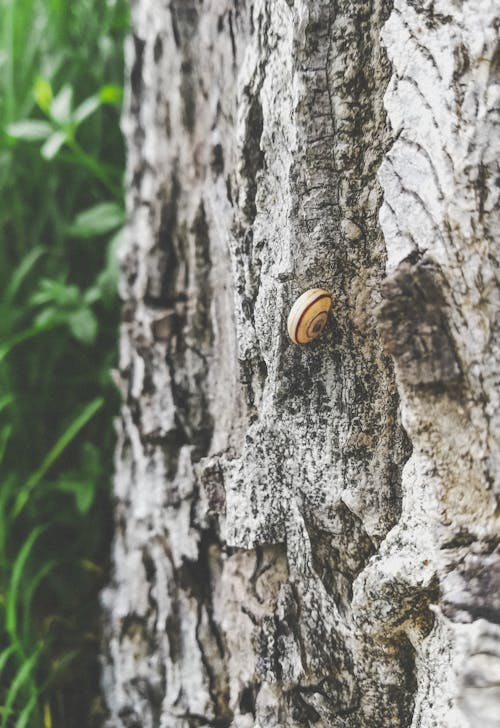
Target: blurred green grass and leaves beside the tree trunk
[(61, 210)]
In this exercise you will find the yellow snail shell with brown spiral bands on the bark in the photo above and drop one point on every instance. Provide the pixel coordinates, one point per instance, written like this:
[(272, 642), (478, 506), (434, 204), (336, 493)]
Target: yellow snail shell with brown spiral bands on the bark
[(308, 316)]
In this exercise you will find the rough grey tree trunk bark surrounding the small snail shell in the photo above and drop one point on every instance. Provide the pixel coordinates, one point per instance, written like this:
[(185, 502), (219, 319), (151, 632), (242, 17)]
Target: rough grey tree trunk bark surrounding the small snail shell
[(308, 536)]
